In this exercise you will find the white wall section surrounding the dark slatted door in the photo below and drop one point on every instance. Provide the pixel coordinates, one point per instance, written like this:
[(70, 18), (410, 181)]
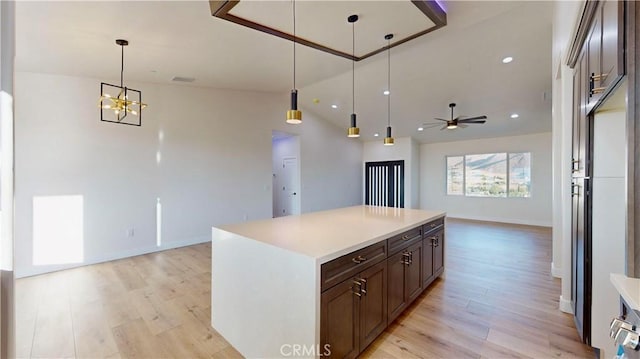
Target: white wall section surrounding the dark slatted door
[(404, 149)]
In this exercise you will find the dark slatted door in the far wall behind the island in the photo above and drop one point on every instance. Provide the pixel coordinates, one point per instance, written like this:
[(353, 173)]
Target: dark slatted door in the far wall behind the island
[(384, 184)]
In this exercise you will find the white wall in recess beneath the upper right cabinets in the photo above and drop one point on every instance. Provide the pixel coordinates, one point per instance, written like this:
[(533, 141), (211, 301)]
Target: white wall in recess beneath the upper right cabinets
[(608, 234)]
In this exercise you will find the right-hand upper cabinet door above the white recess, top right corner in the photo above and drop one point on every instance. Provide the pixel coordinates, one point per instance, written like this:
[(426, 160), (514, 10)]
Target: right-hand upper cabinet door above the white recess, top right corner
[(612, 42)]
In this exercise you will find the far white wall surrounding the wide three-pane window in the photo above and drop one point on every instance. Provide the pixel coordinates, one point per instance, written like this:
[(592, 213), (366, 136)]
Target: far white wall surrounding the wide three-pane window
[(533, 211)]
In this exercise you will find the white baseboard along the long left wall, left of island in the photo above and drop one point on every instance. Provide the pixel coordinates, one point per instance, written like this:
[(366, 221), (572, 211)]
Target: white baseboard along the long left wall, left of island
[(36, 270)]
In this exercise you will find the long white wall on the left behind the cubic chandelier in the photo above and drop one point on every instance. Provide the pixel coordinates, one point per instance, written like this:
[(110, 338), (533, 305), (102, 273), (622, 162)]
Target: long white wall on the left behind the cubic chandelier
[(205, 153)]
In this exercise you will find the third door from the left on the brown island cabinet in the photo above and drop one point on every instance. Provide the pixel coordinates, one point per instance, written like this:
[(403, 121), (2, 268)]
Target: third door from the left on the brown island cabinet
[(396, 300)]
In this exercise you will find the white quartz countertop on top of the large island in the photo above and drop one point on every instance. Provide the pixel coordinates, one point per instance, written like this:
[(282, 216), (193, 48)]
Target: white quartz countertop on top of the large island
[(327, 235)]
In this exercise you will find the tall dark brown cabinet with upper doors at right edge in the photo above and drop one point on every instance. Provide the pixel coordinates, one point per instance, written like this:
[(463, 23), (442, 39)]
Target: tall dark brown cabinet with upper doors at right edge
[(597, 56)]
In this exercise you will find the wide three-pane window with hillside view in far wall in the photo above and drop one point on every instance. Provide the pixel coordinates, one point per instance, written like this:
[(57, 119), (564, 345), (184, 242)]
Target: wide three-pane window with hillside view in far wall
[(490, 175)]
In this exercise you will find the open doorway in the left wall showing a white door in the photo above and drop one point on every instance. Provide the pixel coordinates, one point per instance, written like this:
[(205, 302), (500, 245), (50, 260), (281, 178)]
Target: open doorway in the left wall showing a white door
[(286, 174)]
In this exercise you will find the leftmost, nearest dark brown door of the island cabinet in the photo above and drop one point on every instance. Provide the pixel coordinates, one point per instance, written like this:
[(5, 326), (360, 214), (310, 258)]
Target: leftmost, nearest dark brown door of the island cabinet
[(339, 325)]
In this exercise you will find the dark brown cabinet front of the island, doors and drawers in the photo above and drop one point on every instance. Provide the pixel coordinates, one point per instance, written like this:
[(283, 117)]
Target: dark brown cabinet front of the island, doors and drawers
[(365, 291)]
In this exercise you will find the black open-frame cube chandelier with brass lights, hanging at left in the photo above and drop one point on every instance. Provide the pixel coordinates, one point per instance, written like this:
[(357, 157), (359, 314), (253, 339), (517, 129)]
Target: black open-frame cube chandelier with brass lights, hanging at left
[(127, 102)]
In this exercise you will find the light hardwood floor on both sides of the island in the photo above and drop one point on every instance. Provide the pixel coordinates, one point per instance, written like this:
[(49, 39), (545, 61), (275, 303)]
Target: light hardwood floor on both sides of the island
[(498, 300)]
